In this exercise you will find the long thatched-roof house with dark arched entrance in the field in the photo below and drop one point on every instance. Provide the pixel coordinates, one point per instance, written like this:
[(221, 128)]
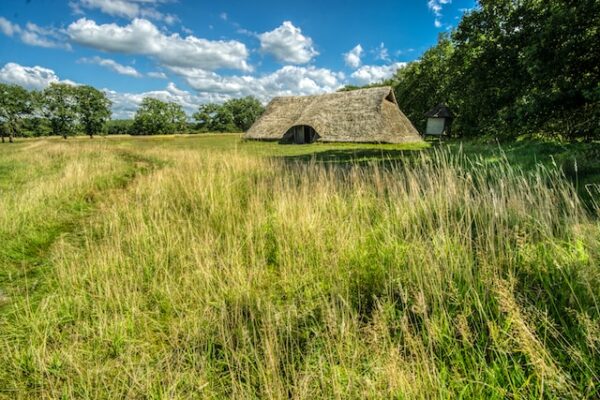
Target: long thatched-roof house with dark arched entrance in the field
[(365, 115)]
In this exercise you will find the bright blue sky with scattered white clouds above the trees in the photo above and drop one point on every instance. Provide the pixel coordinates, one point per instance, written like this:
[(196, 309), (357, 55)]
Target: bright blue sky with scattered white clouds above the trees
[(194, 52)]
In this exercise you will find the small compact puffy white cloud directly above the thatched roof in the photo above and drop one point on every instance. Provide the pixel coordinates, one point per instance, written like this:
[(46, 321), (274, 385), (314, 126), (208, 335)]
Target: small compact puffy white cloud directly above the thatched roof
[(287, 44)]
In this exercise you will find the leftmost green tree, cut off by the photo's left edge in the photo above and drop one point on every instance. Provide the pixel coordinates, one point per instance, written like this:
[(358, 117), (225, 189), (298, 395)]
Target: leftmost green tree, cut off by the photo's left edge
[(15, 104)]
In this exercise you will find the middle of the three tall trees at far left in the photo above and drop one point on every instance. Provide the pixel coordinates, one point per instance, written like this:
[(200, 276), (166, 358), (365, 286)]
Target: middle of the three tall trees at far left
[(59, 105)]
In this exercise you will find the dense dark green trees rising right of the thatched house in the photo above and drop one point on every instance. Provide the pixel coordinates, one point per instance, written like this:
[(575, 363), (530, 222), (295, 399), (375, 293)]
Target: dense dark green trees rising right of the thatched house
[(512, 67)]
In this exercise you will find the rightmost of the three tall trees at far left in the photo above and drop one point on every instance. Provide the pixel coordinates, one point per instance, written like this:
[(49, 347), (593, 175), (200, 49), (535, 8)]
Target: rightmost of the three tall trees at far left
[(93, 108)]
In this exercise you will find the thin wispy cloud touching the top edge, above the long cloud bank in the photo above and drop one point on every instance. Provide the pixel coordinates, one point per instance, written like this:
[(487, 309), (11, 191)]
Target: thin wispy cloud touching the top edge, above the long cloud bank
[(125, 8)]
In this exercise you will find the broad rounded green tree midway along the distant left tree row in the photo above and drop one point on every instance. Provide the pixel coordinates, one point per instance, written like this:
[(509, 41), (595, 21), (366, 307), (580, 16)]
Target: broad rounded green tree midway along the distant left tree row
[(156, 117)]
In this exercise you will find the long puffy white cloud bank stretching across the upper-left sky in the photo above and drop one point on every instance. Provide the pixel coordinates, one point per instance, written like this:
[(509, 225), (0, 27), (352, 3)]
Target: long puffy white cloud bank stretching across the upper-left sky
[(143, 37)]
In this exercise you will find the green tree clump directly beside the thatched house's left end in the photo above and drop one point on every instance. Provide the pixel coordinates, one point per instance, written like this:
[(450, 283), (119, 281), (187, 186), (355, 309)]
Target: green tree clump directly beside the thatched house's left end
[(235, 115)]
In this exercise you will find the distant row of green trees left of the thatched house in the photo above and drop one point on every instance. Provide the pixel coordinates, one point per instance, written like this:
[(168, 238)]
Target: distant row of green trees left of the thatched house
[(66, 110)]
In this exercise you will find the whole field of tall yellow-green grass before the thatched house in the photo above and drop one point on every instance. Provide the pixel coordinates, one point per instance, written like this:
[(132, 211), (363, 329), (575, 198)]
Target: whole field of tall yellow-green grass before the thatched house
[(207, 267)]
